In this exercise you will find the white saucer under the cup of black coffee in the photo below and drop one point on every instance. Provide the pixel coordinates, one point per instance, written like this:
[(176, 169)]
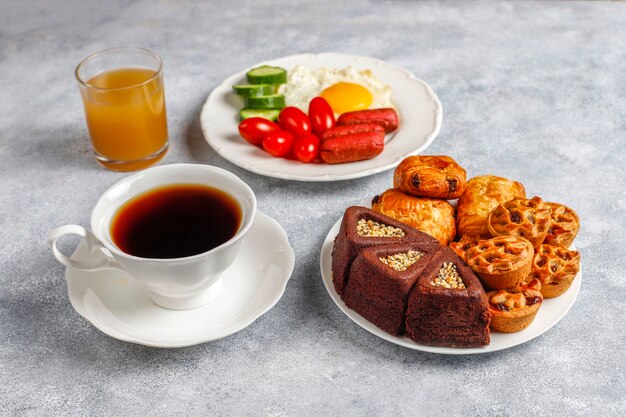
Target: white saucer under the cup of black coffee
[(117, 305)]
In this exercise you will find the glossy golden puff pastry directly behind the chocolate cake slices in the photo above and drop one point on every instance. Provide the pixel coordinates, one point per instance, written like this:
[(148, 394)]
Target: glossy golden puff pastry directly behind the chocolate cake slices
[(432, 216)]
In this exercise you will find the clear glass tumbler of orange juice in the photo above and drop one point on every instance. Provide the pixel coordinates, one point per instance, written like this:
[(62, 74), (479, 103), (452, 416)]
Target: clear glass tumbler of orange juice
[(122, 90)]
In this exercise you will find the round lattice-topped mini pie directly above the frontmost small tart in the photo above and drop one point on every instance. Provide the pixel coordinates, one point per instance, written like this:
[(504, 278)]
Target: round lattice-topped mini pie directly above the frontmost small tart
[(501, 262)]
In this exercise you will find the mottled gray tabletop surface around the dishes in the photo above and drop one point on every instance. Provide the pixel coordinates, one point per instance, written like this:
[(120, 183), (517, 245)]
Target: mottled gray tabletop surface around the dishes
[(531, 91)]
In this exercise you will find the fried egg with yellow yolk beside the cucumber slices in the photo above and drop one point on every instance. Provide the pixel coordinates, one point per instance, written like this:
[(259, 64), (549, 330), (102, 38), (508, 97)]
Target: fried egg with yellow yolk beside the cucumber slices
[(345, 89)]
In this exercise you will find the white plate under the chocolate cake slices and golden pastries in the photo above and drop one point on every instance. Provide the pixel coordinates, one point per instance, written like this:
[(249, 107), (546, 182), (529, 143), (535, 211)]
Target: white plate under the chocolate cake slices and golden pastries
[(550, 313)]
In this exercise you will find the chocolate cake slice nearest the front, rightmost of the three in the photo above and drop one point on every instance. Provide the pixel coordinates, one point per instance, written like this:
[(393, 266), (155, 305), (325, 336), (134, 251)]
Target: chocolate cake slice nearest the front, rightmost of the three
[(448, 306)]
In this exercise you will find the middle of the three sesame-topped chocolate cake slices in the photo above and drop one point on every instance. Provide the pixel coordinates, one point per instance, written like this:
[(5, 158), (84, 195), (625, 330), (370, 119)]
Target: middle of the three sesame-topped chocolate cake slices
[(381, 278)]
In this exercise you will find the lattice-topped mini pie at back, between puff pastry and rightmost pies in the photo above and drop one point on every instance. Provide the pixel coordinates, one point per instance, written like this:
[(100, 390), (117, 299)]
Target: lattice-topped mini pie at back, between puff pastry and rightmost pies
[(528, 218)]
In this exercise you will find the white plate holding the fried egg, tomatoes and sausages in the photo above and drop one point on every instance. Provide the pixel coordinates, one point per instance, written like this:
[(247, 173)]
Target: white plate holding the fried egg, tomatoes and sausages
[(418, 107)]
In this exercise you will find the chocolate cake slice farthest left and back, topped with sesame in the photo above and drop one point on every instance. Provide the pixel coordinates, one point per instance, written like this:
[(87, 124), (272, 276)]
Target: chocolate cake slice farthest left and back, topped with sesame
[(362, 228)]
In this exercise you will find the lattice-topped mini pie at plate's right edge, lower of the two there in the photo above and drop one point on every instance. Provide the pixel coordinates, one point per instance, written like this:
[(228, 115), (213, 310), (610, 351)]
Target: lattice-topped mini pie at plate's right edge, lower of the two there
[(556, 267)]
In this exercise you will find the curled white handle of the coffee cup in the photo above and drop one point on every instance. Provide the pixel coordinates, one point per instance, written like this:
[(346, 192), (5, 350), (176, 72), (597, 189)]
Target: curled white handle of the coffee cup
[(93, 244)]
